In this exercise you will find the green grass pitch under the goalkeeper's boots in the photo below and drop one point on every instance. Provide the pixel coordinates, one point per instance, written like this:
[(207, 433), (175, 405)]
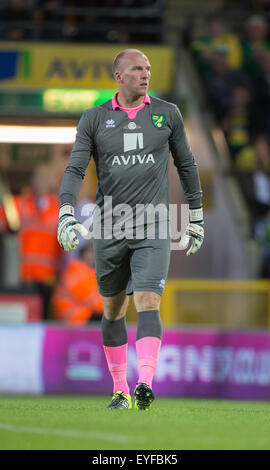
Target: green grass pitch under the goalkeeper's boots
[(71, 423)]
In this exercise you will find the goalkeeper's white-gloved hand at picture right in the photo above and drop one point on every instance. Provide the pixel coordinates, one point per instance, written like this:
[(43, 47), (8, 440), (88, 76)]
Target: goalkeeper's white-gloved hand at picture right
[(193, 232)]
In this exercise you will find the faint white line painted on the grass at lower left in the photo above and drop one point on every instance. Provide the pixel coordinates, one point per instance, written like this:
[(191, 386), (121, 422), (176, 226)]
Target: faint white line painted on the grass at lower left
[(70, 433)]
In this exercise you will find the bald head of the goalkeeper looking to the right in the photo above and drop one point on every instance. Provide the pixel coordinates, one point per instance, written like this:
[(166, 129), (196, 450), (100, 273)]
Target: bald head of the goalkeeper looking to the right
[(134, 74)]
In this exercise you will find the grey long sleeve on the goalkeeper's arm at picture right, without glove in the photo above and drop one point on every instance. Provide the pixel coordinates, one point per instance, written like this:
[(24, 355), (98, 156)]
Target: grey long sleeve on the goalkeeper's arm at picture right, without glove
[(185, 162)]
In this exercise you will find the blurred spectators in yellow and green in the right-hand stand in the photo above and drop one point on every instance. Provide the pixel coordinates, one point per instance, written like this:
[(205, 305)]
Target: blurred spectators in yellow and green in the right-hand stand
[(235, 69)]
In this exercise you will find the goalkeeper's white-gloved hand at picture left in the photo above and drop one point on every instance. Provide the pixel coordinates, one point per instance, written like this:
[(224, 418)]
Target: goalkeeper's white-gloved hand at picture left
[(67, 226)]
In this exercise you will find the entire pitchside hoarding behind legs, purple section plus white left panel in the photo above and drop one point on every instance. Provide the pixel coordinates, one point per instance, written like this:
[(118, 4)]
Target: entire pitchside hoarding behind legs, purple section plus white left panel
[(192, 363)]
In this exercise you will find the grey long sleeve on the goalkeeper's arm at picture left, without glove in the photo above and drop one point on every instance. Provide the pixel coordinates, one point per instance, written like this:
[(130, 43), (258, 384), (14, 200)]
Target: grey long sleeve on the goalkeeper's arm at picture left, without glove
[(78, 162)]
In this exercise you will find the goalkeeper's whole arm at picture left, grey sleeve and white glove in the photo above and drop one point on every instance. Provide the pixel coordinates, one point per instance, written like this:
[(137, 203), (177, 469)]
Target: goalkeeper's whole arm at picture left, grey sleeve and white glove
[(71, 184)]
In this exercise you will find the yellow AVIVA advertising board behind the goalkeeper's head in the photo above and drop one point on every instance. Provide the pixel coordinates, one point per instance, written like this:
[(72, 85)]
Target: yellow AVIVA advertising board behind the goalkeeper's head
[(39, 65)]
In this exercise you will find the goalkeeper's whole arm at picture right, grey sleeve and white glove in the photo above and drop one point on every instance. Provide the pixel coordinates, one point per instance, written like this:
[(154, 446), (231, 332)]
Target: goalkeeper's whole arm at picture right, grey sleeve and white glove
[(190, 180)]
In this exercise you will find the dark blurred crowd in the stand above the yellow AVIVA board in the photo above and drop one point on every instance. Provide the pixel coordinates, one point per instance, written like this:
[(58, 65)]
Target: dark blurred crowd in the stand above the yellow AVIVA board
[(81, 20)]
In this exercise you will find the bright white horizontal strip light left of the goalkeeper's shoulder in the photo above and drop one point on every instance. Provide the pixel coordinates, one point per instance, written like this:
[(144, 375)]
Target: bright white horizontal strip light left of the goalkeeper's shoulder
[(37, 135)]
